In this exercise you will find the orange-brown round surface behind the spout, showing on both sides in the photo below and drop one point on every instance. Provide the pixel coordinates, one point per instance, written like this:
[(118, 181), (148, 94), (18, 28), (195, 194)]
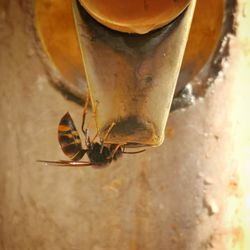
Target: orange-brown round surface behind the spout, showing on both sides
[(56, 29)]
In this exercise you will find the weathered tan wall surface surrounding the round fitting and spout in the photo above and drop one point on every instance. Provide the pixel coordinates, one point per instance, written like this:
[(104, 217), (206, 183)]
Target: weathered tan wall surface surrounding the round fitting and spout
[(183, 195)]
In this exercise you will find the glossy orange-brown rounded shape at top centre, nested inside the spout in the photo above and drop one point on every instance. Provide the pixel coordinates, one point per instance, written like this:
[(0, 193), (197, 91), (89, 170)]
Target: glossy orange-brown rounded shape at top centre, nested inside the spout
[(134, 16)]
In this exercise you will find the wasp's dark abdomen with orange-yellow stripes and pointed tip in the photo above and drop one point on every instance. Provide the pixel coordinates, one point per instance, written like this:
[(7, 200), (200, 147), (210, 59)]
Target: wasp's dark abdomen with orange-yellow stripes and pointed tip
[(69, 138)]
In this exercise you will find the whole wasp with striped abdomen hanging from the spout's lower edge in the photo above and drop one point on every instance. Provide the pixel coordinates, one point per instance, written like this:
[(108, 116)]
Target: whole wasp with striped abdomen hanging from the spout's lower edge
[(100, 154)]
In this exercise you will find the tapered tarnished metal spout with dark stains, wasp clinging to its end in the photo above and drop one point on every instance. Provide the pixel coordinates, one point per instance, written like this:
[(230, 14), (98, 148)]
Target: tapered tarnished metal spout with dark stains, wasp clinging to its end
[(132, 78)]
